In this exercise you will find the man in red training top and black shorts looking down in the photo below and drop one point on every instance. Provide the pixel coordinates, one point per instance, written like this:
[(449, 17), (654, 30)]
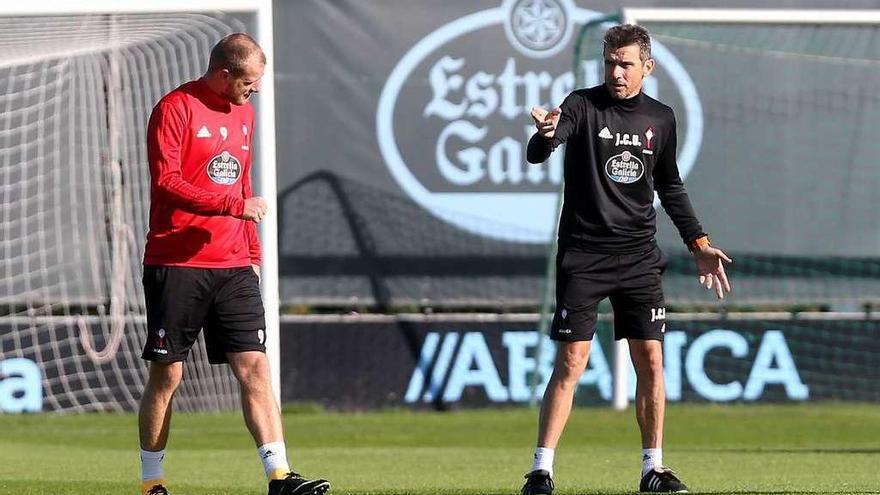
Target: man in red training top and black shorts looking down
[(202, 258)]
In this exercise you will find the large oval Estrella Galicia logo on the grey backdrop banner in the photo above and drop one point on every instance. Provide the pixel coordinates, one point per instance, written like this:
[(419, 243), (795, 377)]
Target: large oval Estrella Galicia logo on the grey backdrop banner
[(473, 115)]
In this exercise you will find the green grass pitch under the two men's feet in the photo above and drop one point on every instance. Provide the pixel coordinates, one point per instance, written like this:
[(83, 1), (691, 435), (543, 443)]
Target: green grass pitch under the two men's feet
[(807, 448)]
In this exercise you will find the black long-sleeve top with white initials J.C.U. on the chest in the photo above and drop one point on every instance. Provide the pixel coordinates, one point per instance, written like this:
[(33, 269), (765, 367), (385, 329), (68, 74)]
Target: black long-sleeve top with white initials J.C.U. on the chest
[(618, 153)]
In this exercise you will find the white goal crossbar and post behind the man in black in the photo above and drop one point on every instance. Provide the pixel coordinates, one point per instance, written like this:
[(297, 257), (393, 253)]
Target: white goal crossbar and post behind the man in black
[(755, 16)]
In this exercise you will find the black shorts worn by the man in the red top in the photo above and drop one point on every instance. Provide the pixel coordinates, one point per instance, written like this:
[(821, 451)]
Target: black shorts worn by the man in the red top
[(181, 301)]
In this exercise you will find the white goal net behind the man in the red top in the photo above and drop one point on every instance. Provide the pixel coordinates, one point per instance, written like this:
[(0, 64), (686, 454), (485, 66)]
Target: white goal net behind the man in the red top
[(76, 93)]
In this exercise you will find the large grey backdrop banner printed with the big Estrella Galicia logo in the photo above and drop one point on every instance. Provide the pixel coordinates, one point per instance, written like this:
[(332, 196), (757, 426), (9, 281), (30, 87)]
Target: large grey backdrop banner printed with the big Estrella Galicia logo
[(402, 129)]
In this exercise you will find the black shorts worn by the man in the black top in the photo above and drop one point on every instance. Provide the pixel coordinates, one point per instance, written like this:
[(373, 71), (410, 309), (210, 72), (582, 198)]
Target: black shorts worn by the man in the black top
[(631, 281)]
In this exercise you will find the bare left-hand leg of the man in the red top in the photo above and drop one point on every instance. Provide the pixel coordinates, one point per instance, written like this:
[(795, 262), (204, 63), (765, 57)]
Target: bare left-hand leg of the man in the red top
[(154, 416)]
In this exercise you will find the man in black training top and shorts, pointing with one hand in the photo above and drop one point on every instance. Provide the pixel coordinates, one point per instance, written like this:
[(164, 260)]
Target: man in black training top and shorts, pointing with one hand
[(620, 149)]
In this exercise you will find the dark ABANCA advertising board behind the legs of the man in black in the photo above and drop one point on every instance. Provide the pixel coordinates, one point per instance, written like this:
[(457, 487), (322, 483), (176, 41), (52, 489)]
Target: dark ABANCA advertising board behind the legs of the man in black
[(417, 362)]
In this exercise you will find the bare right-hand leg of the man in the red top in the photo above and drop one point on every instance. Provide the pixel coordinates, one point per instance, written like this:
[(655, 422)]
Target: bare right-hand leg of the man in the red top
[(261, 412)]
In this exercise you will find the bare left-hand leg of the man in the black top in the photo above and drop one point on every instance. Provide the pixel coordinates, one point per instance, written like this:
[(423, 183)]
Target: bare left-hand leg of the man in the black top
[(571, 360)]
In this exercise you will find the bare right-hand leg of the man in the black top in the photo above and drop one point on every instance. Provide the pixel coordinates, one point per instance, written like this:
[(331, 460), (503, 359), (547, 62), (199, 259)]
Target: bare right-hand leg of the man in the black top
[(647, 357)]
